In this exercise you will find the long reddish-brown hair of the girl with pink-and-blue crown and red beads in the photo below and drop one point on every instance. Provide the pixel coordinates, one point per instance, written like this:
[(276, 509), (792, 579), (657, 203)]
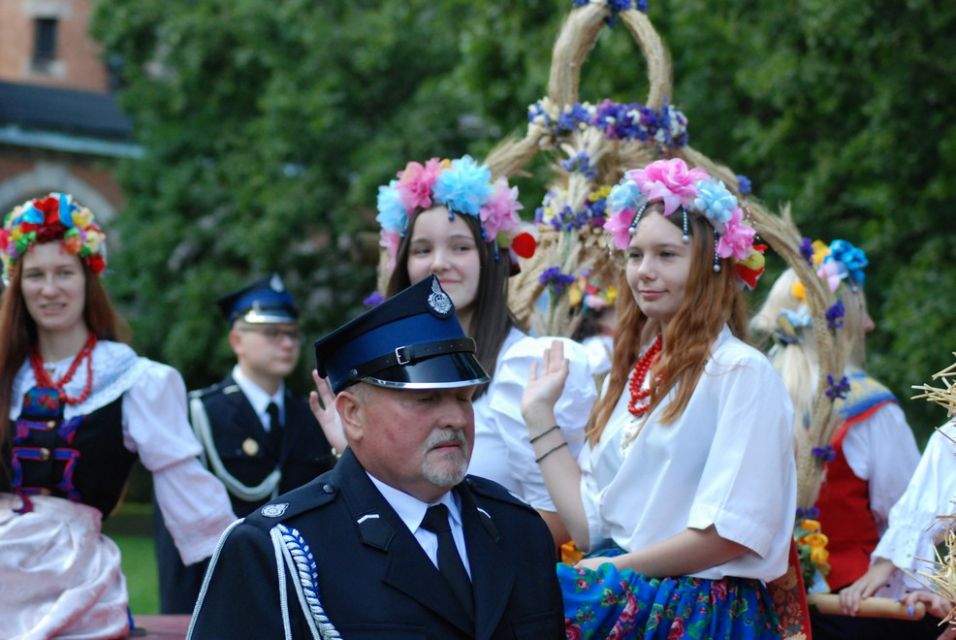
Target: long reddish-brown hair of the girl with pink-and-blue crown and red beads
[(711, 300)]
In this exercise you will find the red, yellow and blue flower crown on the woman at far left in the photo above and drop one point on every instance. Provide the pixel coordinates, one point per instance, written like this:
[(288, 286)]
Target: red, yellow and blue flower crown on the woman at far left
[(56, 216)]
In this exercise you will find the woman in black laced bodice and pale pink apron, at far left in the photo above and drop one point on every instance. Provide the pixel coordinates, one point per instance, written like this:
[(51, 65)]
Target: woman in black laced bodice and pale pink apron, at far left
[(82, 407)]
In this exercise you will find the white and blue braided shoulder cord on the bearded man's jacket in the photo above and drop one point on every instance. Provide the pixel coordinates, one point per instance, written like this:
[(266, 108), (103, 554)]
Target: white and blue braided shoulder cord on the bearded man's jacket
[(301, 564)]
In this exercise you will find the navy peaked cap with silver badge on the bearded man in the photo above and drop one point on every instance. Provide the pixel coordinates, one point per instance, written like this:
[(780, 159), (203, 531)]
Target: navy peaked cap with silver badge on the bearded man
[(410, 341)]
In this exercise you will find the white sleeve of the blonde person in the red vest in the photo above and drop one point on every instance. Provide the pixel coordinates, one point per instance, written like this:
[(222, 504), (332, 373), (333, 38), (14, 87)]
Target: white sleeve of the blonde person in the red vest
[(882, 451)]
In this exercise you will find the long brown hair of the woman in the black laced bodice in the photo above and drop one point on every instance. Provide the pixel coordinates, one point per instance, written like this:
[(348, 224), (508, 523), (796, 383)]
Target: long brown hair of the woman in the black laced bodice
[(18, 330)]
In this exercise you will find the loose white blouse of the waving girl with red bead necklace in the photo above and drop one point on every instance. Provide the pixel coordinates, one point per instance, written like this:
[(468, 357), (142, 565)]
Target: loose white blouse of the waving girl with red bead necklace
[(726, 461)]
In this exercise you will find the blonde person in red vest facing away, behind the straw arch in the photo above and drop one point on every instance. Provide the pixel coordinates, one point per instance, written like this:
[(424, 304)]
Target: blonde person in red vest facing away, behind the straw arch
[(872, 454)]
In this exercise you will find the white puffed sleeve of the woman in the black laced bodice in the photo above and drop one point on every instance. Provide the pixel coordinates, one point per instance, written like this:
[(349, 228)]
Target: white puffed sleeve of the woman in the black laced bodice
[(194, 503)]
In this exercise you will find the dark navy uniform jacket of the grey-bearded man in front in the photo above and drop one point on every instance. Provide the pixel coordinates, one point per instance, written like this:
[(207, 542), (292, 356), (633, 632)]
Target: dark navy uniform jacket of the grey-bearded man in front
[(372, 577)]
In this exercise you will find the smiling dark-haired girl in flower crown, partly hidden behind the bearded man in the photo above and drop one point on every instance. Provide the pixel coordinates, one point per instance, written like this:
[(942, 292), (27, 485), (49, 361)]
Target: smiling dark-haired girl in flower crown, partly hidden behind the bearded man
[(451, 219)]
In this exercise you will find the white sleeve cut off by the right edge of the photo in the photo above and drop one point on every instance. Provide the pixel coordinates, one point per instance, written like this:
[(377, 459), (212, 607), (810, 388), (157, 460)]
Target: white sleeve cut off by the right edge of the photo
[(914, 523)]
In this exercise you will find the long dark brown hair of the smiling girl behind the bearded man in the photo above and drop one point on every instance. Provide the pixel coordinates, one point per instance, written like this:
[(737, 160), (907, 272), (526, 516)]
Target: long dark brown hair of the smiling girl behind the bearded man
[(491, 318)]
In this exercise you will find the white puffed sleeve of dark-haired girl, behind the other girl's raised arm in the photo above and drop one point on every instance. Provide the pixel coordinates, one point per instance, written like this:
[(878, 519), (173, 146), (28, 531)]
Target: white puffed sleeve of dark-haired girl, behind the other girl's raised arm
[(571, 412)]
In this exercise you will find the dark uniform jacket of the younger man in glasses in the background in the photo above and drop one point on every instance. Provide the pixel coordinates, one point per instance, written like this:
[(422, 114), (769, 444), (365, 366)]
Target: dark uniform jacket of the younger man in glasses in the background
[(249, 455)]
